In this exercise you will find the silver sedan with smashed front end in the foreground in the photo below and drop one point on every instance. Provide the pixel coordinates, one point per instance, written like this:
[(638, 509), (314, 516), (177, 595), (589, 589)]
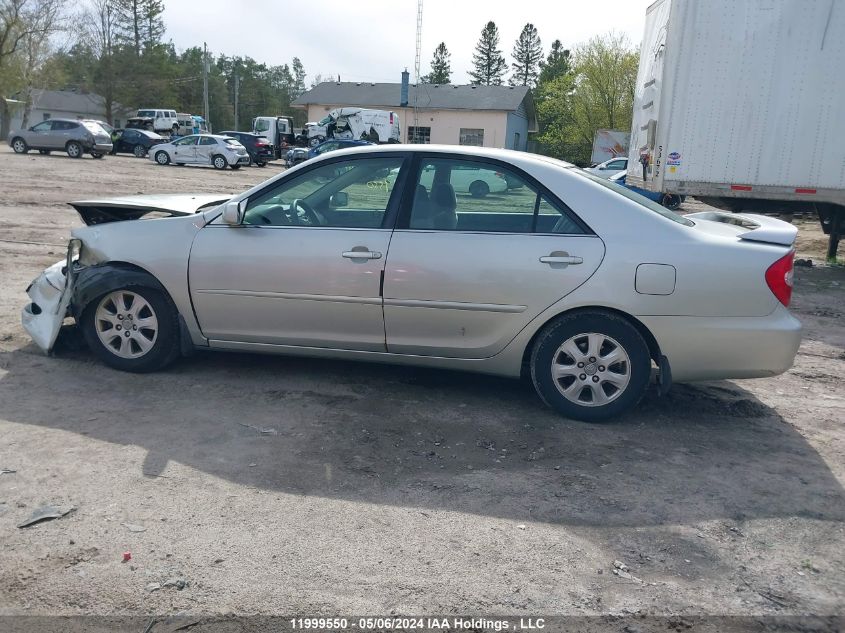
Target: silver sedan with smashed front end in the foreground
[(374, 254)]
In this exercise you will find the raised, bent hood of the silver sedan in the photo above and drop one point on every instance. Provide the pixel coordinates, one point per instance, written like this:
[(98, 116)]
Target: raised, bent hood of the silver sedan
[(102, 210)]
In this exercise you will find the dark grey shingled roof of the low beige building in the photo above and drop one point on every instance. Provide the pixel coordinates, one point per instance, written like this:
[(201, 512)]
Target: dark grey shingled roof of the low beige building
[(428, 96)]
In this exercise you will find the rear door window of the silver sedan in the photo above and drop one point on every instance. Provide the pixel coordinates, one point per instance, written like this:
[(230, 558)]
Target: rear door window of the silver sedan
[(455, 194)]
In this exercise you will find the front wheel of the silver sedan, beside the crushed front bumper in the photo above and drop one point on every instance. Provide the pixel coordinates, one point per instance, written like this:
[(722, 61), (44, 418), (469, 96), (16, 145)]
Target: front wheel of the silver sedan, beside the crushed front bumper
[(146, 349)]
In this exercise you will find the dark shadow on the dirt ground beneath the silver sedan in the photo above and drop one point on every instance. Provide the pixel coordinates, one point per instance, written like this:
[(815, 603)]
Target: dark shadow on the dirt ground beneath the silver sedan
[(434, 439)]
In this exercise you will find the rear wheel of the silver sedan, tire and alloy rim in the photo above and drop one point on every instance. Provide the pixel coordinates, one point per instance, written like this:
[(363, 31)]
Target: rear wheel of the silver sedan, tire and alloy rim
[(586, 335)]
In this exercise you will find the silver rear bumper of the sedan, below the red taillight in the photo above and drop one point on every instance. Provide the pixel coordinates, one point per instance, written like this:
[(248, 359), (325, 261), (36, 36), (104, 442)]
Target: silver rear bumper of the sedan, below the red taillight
[(714, 348)]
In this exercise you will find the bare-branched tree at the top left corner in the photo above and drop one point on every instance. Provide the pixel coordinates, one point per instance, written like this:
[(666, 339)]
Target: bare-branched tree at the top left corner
[(25, 30)]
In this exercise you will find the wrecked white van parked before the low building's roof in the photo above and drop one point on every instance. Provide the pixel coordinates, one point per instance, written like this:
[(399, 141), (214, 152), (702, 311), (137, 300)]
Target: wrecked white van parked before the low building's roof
[(359, 124)]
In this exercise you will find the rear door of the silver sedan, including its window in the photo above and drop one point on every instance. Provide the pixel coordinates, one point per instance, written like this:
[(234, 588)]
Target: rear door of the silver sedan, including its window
[(465, 274)]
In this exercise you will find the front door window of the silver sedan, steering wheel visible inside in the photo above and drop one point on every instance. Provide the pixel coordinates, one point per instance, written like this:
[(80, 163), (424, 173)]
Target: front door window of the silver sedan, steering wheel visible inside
[(348, 194)]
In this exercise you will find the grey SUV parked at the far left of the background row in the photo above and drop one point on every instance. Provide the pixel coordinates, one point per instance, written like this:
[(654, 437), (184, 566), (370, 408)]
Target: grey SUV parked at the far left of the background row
[(74, 137)]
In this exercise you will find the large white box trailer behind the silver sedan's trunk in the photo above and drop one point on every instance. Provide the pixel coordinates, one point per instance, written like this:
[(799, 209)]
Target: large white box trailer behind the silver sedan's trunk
[(740, 103)]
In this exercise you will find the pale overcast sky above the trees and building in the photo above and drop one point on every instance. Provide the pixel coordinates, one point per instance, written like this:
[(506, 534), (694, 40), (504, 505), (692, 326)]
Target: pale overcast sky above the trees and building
[(374, 40)]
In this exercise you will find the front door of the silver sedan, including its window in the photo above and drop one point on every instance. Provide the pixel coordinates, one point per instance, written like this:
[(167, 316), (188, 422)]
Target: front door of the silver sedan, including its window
[(305, 266)]
